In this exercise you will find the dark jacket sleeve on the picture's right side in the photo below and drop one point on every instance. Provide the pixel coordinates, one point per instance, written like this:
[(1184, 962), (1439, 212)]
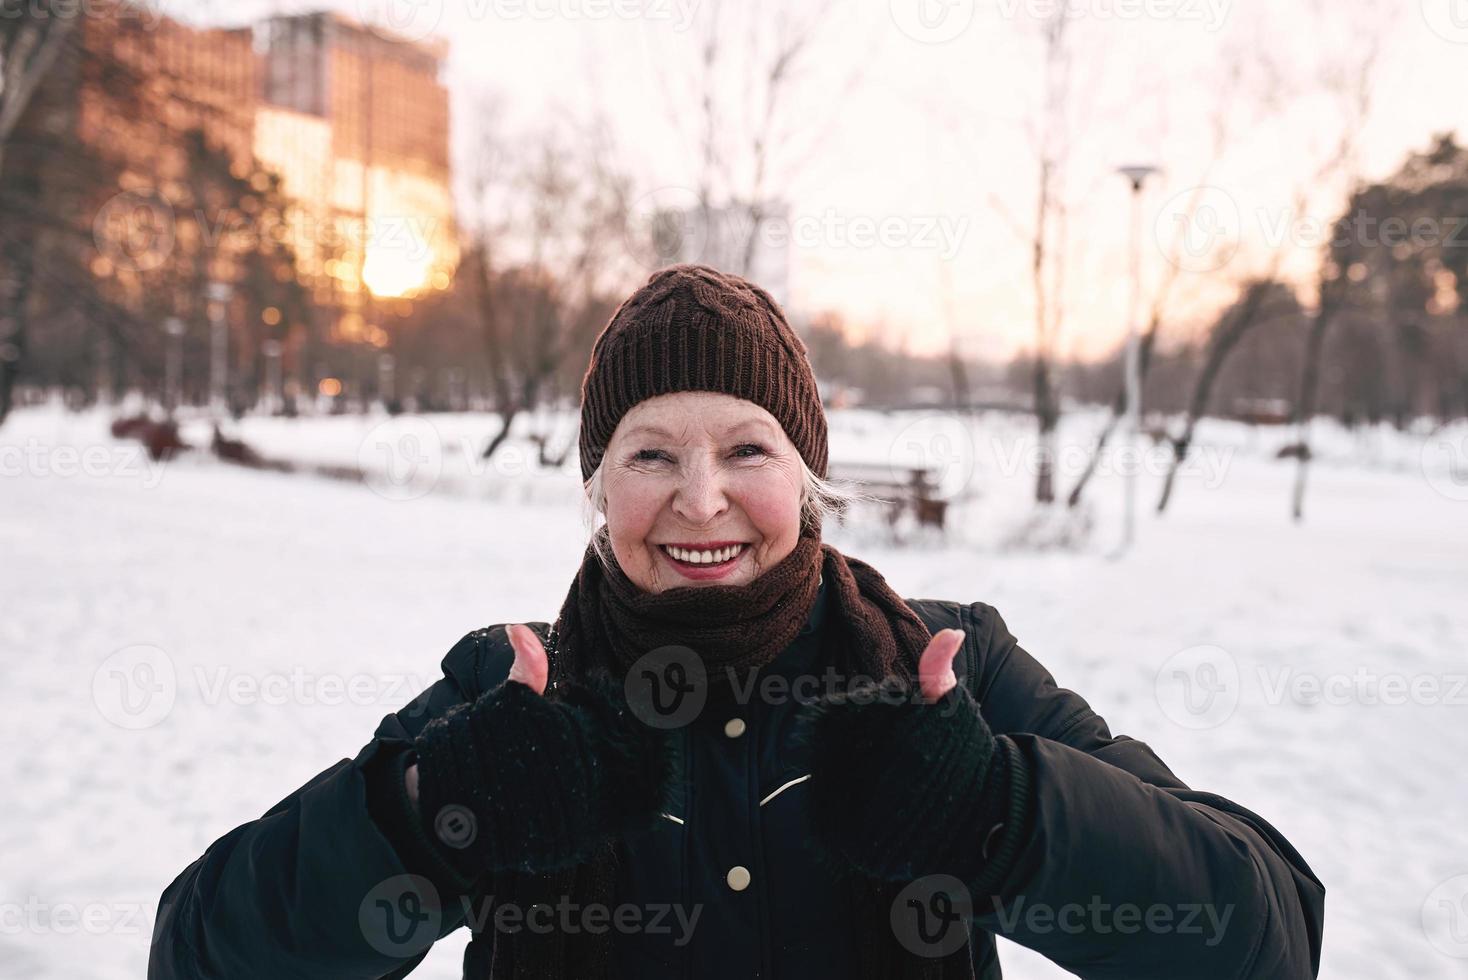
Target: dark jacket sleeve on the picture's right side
[(1121, 869)]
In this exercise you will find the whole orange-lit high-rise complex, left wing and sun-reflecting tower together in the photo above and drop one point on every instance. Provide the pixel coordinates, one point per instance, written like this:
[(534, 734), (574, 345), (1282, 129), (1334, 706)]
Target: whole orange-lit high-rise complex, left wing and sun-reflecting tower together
[(353, 121)]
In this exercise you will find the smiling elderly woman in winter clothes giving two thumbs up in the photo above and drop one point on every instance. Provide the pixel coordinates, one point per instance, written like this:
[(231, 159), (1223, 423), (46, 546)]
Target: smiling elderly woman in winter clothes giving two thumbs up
[(739, 753)]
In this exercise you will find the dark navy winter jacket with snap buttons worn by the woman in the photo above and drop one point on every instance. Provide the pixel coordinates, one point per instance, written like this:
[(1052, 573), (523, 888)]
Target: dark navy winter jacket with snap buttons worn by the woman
[(1125, 872)]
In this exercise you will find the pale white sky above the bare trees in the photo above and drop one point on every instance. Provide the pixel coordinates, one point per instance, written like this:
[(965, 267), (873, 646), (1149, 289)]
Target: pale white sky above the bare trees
[(918, 118)]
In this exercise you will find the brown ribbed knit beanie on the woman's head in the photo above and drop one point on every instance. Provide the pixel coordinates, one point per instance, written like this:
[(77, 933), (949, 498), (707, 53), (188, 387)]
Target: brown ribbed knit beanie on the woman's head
[(697, 329)]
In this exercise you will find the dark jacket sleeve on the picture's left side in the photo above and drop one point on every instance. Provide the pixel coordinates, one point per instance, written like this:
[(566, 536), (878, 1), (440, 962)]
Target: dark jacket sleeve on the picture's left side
[(321, 887)]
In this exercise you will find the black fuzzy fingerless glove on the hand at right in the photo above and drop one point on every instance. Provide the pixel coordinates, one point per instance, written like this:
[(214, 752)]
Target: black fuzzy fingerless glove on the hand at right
[(905, 789)]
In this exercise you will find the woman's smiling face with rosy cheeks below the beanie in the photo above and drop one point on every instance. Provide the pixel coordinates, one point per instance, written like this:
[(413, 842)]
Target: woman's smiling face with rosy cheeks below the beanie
[(702, 489)]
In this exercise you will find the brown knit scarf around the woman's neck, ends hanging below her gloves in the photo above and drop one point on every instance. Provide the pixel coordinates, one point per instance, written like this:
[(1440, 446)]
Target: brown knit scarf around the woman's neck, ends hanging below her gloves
[(607, 623)]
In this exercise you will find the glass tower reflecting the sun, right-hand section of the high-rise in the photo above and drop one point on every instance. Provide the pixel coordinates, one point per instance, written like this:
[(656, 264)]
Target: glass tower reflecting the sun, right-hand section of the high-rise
[(359, 127)]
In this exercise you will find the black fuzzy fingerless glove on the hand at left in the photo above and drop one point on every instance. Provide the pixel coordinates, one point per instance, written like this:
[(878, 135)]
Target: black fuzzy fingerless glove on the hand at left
[(526, 783)]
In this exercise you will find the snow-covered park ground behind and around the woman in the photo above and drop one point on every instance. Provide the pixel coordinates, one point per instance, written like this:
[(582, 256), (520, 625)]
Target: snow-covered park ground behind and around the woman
[(281, 617)]
